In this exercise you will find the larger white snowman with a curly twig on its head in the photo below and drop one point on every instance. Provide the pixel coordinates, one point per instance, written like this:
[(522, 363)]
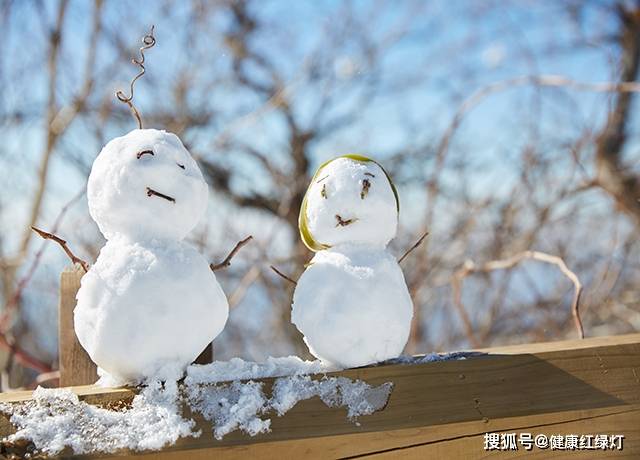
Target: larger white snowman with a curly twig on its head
[(150, 304)]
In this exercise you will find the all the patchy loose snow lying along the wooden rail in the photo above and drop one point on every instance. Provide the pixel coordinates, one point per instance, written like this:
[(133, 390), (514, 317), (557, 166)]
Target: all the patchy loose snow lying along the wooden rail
[(222, 392)]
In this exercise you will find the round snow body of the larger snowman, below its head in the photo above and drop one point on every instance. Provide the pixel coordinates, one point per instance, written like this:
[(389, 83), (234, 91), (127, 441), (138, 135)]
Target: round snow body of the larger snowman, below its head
[(138, 315)]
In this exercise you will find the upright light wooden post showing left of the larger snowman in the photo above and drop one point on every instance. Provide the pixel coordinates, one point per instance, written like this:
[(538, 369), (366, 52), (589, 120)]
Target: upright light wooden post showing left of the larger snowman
[(76, 368)]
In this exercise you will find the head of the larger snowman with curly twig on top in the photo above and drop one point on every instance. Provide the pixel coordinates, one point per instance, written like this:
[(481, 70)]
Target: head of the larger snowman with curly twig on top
[(146, 185)]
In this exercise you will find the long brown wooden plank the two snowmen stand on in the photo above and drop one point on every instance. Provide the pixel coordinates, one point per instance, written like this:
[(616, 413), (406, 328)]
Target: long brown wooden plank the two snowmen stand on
[(443, 409)]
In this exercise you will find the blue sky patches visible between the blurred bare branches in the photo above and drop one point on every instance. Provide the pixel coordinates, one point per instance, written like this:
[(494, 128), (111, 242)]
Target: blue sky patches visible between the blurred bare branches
[(451, 50)]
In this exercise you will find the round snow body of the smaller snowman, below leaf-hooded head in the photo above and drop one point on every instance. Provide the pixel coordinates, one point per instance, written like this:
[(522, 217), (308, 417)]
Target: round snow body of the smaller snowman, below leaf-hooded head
[(353, 306)]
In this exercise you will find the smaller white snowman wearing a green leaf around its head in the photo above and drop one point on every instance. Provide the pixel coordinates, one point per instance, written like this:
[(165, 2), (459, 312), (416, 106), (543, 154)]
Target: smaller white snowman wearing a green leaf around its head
[(351, 304)]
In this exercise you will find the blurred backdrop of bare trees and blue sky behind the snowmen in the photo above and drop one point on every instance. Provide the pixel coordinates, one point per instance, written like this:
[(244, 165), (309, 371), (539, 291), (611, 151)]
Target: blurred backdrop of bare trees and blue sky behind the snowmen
[(508, 127)]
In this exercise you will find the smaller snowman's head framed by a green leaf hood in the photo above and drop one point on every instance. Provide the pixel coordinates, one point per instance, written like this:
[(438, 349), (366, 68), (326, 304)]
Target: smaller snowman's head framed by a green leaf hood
[(351, 199)]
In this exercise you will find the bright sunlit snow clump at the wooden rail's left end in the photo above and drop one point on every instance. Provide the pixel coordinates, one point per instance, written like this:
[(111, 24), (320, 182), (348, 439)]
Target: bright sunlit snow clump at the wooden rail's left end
[(56, 418)]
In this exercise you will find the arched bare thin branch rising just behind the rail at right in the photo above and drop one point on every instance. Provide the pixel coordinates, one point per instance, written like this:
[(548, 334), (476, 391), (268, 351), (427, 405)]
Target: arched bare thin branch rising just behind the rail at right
[(470, 268)]
